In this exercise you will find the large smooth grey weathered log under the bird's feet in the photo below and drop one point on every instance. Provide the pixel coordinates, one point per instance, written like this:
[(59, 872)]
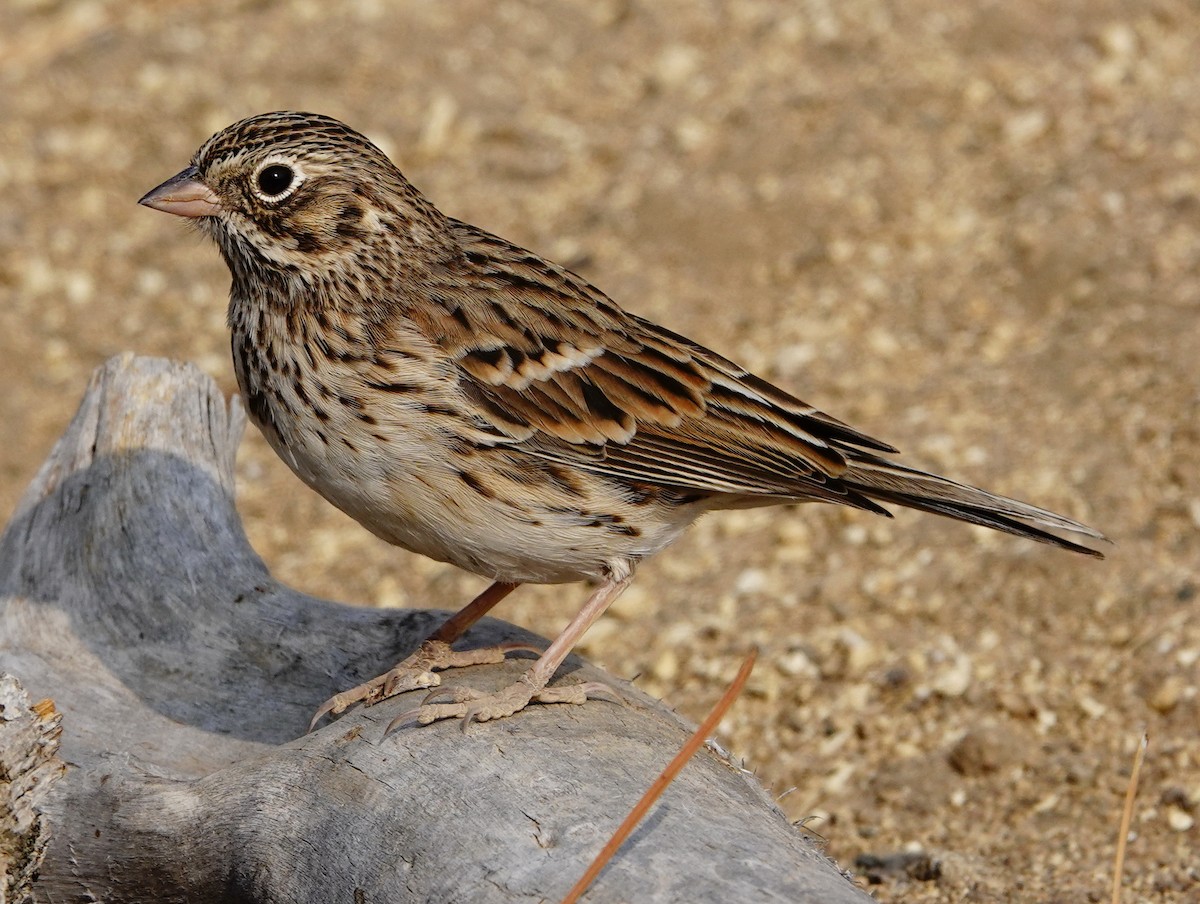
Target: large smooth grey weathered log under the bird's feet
[(187, 678)]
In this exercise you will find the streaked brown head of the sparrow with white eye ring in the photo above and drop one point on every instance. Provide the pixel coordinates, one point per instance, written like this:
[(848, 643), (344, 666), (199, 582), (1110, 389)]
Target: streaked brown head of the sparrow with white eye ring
[(303, 196)]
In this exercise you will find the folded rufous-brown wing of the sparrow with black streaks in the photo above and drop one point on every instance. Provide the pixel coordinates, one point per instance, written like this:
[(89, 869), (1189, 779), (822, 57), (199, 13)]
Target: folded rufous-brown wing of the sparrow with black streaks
[(622, 396)]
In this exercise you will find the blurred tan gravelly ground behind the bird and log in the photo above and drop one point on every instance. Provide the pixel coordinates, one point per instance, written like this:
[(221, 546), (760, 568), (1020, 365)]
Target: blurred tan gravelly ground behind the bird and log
[(973, 230)]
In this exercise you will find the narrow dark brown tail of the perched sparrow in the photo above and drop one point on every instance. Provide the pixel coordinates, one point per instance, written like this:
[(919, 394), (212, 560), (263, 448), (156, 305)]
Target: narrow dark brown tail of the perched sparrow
[(887, 482)]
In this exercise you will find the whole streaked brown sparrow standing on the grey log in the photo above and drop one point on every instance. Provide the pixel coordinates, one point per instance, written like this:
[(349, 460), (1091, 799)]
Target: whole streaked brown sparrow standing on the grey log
[(470, 400)]
